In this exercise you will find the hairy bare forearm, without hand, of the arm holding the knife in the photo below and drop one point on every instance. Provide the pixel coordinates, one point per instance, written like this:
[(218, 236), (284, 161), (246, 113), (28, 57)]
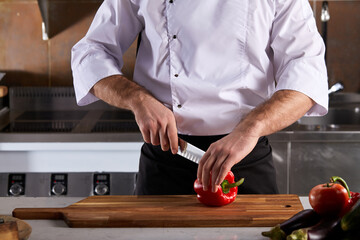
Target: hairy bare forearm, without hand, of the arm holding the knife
[(120, 92)]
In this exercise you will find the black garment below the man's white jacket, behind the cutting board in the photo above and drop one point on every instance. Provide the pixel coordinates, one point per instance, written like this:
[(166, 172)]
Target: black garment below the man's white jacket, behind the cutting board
[(164, 173)]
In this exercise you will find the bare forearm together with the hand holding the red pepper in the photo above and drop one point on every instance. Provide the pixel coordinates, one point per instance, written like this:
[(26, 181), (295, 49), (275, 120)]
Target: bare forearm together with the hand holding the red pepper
[(280, 111)]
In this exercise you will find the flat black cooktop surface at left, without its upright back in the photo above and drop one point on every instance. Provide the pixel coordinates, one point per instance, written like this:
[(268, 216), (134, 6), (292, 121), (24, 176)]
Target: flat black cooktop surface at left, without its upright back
[(67, 121)]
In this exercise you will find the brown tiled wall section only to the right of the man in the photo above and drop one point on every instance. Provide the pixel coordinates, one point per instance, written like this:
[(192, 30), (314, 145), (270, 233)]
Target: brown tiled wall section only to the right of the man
[(343, 42)]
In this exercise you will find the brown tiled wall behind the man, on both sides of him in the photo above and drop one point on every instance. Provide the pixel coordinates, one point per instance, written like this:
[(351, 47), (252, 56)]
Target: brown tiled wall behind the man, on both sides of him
[(30, 61)]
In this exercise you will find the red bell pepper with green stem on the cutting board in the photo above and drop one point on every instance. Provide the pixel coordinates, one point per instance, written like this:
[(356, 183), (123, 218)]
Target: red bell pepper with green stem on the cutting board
[(225, 194)]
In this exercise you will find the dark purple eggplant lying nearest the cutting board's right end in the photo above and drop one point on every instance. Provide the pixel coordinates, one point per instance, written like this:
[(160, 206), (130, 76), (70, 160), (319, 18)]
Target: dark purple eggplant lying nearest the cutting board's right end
[(303, 219)]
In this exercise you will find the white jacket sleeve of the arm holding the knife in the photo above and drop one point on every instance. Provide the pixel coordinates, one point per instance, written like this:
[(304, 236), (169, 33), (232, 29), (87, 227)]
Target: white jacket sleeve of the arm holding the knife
[(100, 53)]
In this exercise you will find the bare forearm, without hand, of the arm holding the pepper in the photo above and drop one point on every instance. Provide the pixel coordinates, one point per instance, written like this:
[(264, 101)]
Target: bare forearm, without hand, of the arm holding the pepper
[(281, 110)]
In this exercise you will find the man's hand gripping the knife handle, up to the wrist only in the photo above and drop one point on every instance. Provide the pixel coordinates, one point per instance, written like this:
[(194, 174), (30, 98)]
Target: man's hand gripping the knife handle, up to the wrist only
[(157, 124)]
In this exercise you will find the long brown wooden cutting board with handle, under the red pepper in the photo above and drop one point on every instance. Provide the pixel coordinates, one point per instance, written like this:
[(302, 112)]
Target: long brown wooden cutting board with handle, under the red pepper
[(170, 211)]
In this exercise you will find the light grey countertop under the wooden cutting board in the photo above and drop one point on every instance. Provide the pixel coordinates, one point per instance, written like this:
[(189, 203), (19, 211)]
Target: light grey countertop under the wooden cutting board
[(57, 229)]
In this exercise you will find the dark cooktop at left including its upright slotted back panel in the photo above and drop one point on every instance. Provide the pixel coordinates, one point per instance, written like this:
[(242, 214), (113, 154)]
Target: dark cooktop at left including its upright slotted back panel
[(40, 109)]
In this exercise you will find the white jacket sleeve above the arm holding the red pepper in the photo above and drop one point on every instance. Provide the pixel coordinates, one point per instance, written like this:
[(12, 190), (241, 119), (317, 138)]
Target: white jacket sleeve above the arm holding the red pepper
[(298, 53)]
